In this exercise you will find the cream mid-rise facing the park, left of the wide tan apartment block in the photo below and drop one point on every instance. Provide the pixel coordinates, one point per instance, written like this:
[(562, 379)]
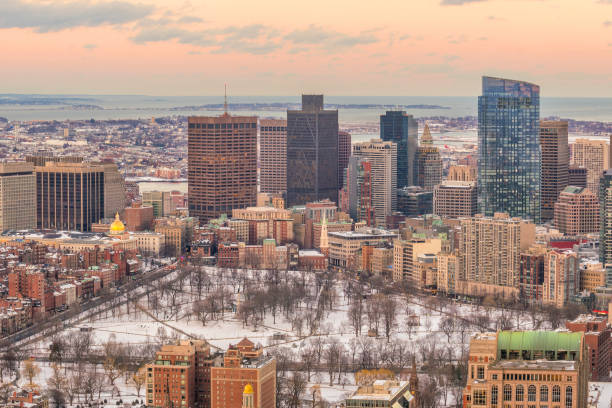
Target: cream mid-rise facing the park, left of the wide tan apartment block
[(406, 254)]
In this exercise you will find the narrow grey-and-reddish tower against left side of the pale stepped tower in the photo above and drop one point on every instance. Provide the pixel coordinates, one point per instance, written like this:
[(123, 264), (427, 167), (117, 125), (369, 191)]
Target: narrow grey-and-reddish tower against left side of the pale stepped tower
[(358, 190)]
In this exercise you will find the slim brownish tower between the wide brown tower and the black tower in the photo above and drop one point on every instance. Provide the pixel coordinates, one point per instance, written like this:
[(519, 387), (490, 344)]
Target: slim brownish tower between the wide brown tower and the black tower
[(273, 156)]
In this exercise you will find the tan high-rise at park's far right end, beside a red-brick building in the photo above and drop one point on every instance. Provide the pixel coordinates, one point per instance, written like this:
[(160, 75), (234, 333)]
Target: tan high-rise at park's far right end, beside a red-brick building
[(561, 277)]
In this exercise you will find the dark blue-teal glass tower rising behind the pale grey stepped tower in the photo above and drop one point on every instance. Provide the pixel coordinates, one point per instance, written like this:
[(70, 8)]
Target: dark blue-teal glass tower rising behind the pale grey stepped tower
[(401, 129)]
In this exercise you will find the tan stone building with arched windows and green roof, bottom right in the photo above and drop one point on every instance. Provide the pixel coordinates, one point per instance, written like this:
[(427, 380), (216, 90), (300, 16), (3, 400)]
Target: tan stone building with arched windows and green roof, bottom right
[(536, 368)]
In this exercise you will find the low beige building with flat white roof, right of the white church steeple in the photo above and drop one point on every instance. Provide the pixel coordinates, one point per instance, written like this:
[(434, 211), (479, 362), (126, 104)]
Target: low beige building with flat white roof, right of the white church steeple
[(345, 247)]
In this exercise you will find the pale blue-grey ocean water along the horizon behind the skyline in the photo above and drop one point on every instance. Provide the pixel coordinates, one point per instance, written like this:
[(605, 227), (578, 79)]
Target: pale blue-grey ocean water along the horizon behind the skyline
[(138, 106)]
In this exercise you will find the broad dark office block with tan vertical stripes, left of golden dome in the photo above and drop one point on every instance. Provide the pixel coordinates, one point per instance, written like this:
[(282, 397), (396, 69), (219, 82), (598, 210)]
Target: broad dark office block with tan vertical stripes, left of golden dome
[(69, 196)]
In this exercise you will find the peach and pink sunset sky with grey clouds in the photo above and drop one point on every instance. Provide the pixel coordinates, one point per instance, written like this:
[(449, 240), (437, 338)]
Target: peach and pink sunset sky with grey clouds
[(273, 47)]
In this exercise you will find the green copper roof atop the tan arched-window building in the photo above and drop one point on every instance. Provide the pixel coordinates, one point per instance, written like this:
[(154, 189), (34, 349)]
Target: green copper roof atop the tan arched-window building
[(538, 341)]
